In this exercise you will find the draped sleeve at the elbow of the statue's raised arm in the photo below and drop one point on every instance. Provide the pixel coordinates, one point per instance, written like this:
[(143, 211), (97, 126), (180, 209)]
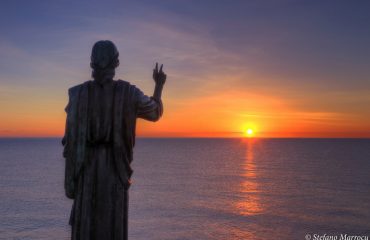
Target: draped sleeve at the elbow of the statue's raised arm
[(147, 107)]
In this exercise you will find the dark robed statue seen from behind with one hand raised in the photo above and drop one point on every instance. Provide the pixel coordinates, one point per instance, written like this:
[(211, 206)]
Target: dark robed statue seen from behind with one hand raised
[(98, 145)]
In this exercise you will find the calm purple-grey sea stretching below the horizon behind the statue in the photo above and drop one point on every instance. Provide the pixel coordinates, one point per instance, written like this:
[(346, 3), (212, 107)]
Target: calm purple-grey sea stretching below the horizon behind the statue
[(202, 189)]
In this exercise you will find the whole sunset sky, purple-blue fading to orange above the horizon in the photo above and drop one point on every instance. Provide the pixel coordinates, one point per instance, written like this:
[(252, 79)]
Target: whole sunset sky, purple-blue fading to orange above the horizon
[(286, 68)]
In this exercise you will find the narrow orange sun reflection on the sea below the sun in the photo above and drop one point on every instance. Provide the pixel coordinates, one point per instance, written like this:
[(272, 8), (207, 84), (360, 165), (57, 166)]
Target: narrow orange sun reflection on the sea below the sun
[(250, 202)]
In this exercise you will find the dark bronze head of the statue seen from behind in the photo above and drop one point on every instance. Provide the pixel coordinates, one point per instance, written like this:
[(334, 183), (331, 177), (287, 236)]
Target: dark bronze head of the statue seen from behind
[(104, 60)]
